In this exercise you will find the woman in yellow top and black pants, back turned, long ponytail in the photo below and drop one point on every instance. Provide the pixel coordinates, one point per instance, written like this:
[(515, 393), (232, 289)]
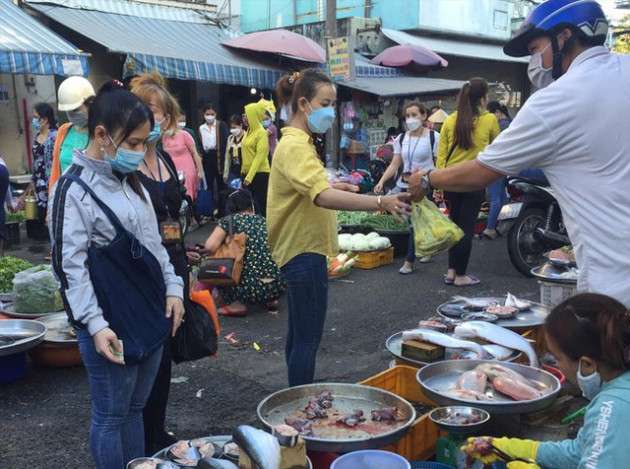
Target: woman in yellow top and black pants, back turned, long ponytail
[(464, 134)]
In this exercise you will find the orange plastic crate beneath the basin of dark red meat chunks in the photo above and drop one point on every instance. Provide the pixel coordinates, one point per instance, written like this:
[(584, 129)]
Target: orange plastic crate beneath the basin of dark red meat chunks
[(419, 442)]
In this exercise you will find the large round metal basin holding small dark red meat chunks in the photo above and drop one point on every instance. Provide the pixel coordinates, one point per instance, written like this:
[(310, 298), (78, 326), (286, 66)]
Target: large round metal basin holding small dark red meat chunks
[(329, 436)]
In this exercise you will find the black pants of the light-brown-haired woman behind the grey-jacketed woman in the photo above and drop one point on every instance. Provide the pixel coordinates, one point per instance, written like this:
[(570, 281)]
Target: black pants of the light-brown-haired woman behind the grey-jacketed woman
[(154, 413)]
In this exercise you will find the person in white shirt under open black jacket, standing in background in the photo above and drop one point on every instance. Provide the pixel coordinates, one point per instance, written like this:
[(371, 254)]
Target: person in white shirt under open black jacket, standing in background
[(213, 134)]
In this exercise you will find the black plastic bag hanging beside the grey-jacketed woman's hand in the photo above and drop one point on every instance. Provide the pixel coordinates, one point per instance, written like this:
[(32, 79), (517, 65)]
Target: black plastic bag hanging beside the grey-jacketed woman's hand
[(196, 337)]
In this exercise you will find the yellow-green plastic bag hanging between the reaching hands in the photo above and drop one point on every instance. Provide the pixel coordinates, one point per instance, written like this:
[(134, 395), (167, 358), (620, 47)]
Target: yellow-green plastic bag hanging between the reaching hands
[(433, 231)]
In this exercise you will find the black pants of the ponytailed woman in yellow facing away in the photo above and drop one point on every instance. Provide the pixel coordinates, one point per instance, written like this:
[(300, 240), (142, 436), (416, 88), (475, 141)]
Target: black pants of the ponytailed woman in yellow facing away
[(464, 211)]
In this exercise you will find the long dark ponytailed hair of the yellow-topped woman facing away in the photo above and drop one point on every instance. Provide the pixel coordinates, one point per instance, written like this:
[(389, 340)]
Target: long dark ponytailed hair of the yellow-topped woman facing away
[(467, 101)]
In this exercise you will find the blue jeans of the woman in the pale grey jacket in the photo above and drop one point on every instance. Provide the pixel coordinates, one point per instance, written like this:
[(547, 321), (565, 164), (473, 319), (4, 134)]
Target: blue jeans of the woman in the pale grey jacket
[(119, 394)]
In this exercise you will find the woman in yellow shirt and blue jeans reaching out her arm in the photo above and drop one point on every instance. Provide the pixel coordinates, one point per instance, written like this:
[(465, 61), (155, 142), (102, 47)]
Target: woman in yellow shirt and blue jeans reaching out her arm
[(301, 217)]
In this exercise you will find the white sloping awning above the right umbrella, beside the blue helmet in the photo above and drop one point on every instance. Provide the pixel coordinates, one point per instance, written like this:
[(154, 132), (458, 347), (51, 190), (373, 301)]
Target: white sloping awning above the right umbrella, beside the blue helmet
[(455, 47)]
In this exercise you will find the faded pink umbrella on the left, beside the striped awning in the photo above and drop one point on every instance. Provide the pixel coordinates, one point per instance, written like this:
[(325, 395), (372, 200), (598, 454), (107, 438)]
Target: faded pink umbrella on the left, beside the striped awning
[(280, 41)]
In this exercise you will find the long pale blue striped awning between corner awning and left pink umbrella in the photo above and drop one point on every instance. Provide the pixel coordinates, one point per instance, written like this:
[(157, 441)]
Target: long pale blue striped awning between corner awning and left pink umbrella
[(177, 42)]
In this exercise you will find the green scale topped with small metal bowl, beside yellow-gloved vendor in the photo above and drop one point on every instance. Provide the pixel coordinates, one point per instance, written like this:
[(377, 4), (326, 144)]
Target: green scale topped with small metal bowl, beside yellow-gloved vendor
[(448, 448)]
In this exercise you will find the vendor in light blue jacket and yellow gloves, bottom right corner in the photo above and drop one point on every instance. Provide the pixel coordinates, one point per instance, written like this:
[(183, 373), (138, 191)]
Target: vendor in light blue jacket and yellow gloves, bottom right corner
[(589, 335)]
